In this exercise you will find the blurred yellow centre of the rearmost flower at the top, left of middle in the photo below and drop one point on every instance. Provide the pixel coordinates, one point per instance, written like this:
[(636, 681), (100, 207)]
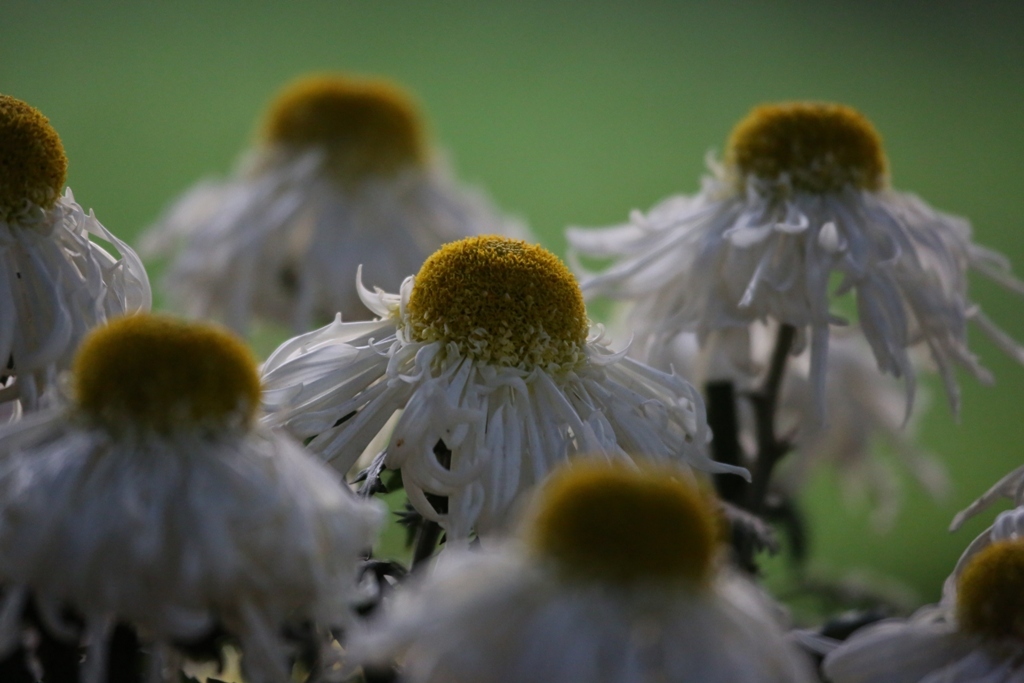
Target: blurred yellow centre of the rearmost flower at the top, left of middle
[(365, 127)]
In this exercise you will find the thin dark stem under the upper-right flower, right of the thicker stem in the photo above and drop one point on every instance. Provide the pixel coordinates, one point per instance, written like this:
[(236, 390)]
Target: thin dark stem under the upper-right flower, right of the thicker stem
[(771, 448)]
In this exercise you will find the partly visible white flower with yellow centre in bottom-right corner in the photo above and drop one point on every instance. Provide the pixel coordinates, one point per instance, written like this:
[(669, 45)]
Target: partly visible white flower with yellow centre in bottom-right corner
[(975, 634)]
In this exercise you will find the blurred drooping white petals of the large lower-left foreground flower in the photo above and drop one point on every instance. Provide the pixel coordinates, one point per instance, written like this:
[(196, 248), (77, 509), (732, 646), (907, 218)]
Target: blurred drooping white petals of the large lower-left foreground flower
[(176, 535)]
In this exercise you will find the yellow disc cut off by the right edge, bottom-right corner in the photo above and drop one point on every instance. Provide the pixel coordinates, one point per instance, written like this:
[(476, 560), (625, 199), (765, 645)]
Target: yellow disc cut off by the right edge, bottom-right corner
[(991, 592)]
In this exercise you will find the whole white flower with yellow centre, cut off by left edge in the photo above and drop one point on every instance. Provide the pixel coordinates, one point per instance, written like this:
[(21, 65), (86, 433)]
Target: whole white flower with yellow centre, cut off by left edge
[(56, 284)]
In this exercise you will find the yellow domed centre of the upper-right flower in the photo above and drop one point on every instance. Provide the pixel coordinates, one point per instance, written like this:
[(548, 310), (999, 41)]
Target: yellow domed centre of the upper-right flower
[(809, 147)]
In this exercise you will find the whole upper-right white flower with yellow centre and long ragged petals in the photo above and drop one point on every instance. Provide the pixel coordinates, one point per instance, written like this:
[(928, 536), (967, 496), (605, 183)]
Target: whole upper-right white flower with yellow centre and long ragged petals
[(803, 197)]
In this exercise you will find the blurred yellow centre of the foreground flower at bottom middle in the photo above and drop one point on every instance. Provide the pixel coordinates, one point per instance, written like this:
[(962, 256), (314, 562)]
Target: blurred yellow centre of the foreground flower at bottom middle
[(611, 524)]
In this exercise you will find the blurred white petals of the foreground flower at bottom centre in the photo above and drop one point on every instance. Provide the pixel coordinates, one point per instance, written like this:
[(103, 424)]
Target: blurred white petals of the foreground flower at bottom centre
[(504, 616)]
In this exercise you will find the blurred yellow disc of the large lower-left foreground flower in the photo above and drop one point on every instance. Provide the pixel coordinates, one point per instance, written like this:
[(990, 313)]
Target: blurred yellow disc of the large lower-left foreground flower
[(158, 374)]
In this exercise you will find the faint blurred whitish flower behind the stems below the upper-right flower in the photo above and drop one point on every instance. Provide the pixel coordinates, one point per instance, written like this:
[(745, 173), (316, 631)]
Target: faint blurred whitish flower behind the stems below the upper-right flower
[(866, 434)]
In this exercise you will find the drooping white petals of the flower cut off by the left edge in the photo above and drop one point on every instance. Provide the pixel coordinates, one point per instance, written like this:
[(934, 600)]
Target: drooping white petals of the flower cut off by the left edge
[(56, 285)]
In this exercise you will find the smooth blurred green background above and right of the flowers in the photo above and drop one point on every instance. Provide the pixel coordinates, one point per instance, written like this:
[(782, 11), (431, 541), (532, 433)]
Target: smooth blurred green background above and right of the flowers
[(576, 114)]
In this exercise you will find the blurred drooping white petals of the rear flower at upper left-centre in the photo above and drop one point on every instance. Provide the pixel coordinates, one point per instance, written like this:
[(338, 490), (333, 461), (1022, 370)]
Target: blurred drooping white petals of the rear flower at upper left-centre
[(282, 239)]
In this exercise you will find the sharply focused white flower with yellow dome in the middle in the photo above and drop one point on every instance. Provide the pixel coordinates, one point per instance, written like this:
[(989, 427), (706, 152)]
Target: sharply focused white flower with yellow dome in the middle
[(489, 354)]
